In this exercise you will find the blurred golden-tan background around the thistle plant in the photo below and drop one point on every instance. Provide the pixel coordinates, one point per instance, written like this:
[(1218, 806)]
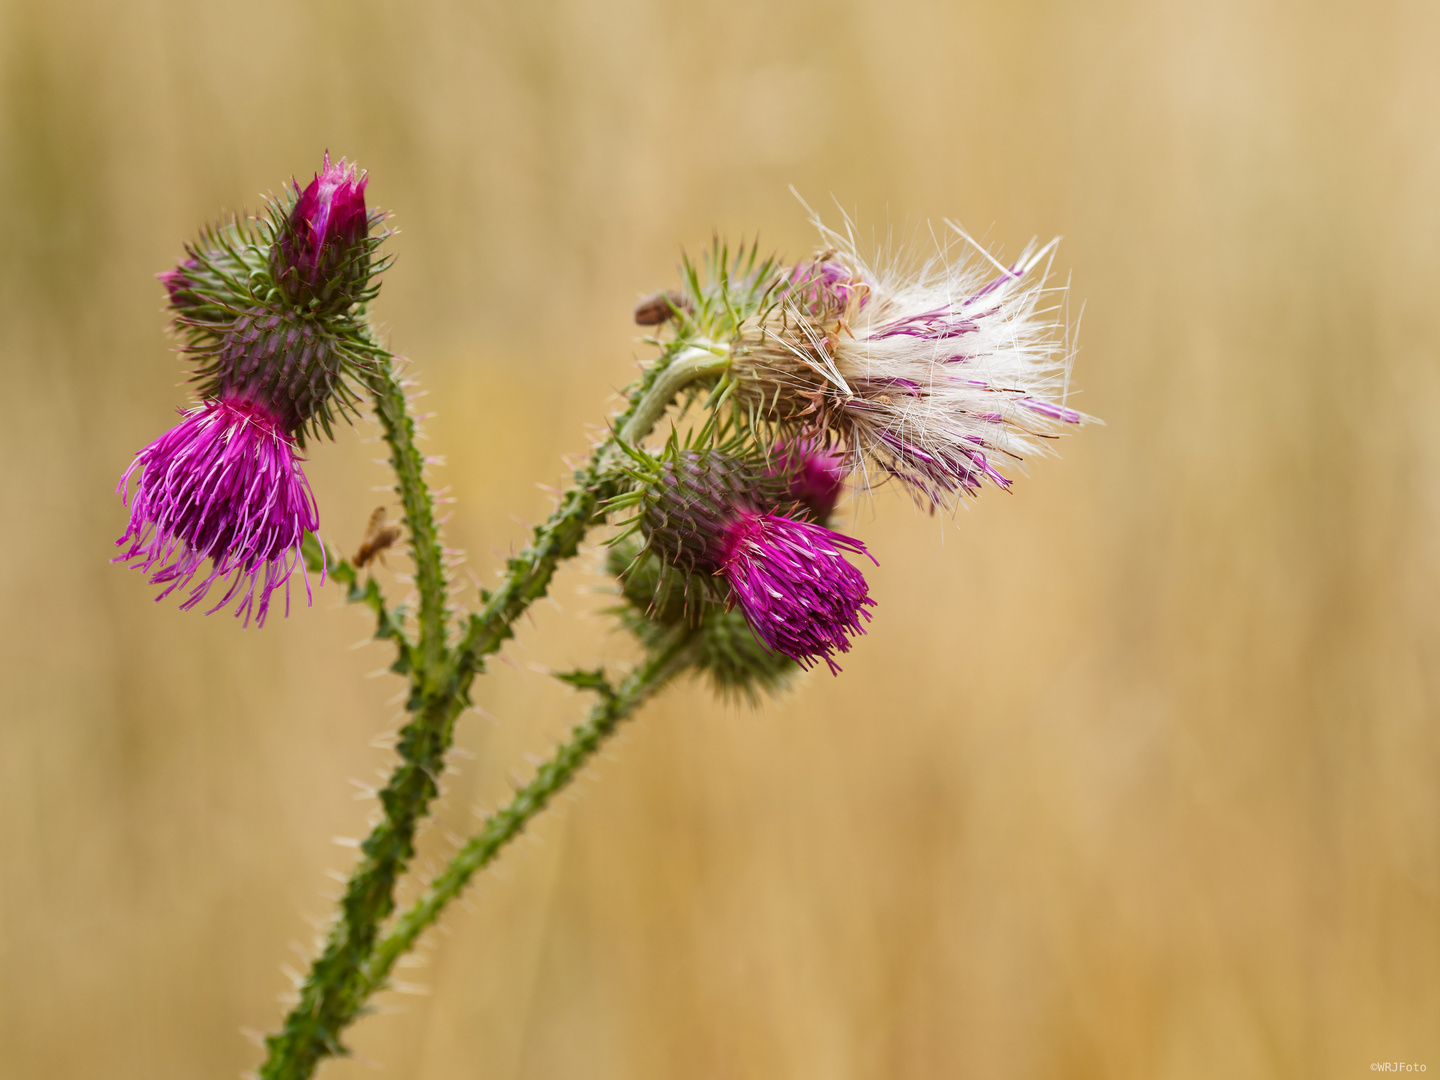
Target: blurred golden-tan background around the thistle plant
[(1137, 774)]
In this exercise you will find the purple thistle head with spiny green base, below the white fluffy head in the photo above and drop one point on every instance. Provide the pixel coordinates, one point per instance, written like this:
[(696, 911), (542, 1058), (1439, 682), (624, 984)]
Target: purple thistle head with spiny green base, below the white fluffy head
[(735, 525)]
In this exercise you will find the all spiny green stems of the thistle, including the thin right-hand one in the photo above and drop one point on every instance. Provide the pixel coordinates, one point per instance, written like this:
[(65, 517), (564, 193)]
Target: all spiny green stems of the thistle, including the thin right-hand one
[(348, 971)]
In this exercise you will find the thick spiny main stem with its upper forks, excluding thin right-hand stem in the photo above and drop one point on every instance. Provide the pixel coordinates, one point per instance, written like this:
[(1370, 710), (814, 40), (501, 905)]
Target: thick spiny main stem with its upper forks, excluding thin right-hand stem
[(336, 989)]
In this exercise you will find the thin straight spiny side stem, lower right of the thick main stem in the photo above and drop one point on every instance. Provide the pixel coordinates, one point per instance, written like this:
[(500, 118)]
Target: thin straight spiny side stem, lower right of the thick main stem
[(500, 829)]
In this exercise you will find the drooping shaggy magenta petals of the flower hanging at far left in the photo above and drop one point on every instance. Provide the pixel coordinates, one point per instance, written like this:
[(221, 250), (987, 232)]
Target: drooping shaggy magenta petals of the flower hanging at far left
[(224, 485)]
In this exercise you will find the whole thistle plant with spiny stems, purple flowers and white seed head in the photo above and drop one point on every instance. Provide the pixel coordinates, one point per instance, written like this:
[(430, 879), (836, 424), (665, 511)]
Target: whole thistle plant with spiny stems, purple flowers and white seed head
[(783, 387)]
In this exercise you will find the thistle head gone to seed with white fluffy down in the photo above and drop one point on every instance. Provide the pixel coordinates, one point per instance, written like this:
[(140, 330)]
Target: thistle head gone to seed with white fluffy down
[(938, 375)]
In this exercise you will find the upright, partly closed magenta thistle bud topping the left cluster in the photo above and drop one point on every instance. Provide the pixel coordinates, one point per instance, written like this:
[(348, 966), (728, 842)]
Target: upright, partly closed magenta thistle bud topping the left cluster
[(320, 253)]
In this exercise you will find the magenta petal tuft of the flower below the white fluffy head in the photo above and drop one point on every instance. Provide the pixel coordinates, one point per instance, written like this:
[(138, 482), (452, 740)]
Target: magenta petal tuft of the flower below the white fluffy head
[(797, 590)]
